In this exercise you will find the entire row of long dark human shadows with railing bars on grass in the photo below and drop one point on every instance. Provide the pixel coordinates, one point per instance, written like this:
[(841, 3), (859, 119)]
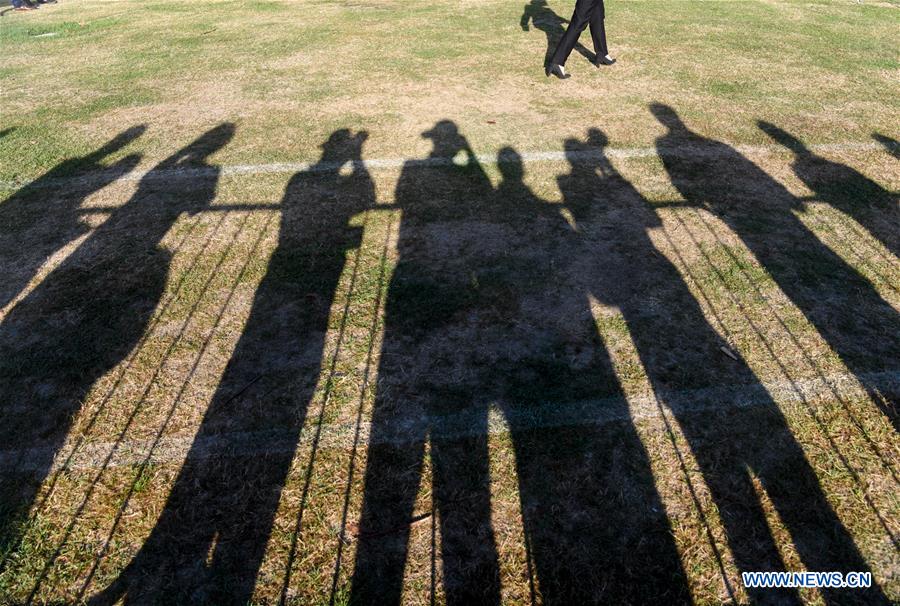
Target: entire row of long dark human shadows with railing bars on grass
[(489, 304)]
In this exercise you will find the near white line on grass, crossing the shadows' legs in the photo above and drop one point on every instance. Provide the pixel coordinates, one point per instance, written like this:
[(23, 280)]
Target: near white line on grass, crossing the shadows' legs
[(500, 420)]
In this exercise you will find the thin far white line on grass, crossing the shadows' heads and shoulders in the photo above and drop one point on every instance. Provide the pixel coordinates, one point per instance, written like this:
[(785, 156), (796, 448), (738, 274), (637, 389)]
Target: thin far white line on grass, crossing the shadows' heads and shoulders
[(396, 163)]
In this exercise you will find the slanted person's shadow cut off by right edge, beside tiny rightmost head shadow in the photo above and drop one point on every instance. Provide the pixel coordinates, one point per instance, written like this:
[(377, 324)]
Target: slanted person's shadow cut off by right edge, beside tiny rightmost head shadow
[(844, 188)]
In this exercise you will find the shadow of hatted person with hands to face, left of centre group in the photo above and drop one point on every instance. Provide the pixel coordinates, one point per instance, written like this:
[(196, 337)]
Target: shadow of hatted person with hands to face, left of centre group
[(210, 539)]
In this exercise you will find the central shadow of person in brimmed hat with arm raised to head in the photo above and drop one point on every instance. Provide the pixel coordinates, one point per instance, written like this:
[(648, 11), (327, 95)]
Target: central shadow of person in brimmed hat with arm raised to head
[(431, 287)]
